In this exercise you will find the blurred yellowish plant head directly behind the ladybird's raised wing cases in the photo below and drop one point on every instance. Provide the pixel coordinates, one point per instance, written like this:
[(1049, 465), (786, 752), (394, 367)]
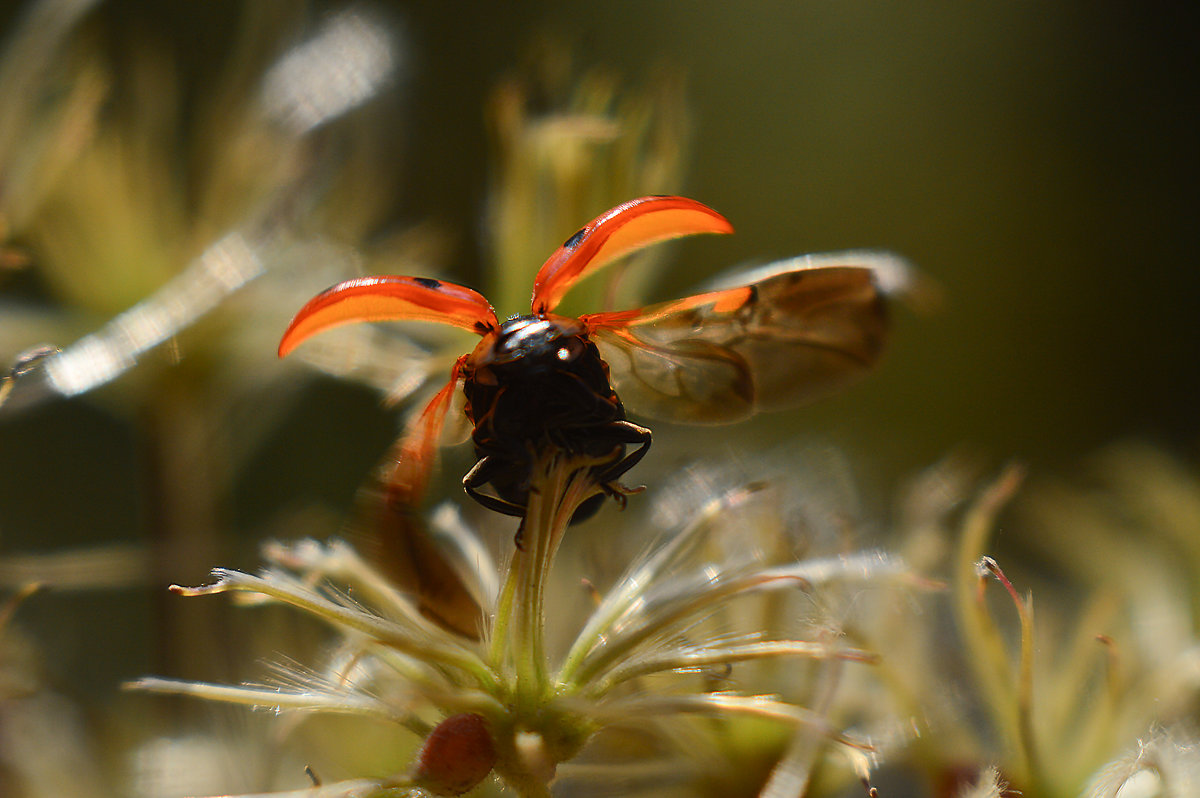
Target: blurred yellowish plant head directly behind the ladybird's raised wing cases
[(567, 149)]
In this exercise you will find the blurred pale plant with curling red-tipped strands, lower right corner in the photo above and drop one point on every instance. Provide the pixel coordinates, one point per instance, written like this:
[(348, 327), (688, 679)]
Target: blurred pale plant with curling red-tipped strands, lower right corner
[(1054, 701)]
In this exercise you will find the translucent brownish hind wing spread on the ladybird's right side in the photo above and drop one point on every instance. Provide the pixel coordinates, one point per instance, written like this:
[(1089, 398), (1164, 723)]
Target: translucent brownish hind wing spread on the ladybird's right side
[(789, 338)]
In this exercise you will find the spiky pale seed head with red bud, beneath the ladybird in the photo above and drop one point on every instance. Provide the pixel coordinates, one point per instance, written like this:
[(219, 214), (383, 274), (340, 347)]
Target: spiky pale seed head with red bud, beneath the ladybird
[(641, 663)]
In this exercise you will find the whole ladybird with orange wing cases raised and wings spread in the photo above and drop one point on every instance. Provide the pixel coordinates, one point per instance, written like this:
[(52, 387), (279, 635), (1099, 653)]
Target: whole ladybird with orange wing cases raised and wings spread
[(778, 337)]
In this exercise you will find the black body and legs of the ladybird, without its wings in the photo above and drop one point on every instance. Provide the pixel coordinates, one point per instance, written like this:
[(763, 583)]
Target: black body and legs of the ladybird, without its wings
[(536, 383)]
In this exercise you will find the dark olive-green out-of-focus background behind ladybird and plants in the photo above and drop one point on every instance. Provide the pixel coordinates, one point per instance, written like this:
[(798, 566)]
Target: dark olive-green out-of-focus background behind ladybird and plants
[(1036, 161)]
